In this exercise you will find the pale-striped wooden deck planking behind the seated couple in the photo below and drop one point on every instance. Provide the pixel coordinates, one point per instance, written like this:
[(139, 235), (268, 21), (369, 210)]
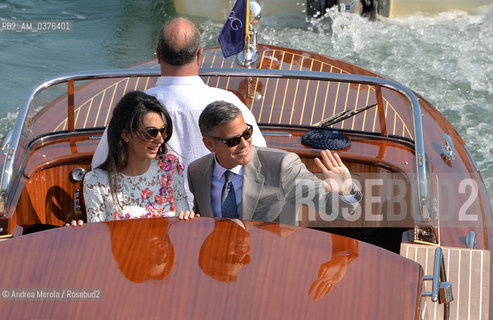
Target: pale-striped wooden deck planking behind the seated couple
[(272, 101)]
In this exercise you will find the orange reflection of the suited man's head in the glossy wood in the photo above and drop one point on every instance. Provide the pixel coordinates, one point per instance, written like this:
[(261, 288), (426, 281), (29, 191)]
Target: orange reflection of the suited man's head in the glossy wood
[(227, 248)]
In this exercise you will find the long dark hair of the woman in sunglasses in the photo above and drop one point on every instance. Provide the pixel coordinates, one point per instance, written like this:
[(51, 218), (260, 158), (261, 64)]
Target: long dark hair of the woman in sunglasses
[(129, 114)]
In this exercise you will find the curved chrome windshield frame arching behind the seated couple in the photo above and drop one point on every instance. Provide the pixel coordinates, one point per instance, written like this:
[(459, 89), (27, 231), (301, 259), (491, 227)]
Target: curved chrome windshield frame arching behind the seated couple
[(423, 187)]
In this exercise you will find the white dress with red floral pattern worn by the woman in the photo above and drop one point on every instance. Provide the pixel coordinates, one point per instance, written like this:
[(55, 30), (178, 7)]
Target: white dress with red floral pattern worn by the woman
[(159, 192)]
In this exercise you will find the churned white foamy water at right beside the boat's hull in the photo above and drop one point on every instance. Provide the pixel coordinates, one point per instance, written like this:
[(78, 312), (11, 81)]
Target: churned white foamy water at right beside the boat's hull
[(447, 58)]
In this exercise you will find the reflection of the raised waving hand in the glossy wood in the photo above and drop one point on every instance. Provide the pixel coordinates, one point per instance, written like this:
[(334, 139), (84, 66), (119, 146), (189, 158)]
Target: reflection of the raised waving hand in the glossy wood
[(344, 250)]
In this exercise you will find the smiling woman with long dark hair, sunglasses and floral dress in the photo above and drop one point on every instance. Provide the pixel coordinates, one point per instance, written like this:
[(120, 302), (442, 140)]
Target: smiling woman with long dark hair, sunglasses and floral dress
[(139, 179)]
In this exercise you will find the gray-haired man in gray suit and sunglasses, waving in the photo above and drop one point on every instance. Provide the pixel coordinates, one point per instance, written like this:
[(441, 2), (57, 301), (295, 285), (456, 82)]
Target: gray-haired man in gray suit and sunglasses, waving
[(238, 180)]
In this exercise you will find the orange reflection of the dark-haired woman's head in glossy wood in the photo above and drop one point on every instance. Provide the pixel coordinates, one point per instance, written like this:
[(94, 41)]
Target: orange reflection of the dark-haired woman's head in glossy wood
[(143, 249)]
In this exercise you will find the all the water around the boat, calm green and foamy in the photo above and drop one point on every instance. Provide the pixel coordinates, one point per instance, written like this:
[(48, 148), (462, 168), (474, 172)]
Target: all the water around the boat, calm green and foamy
[(447, 58)]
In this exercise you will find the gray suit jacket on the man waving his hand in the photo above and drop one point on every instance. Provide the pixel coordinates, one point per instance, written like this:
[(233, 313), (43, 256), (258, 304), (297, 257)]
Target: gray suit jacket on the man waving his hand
[(275, 184)]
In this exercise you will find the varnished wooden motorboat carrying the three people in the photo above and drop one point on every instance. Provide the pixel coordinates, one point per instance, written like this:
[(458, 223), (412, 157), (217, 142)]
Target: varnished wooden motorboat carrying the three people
[(418, 247)]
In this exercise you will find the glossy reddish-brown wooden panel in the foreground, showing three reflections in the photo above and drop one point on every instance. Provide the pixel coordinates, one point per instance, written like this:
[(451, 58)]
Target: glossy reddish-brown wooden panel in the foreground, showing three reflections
[(149, 268)]
